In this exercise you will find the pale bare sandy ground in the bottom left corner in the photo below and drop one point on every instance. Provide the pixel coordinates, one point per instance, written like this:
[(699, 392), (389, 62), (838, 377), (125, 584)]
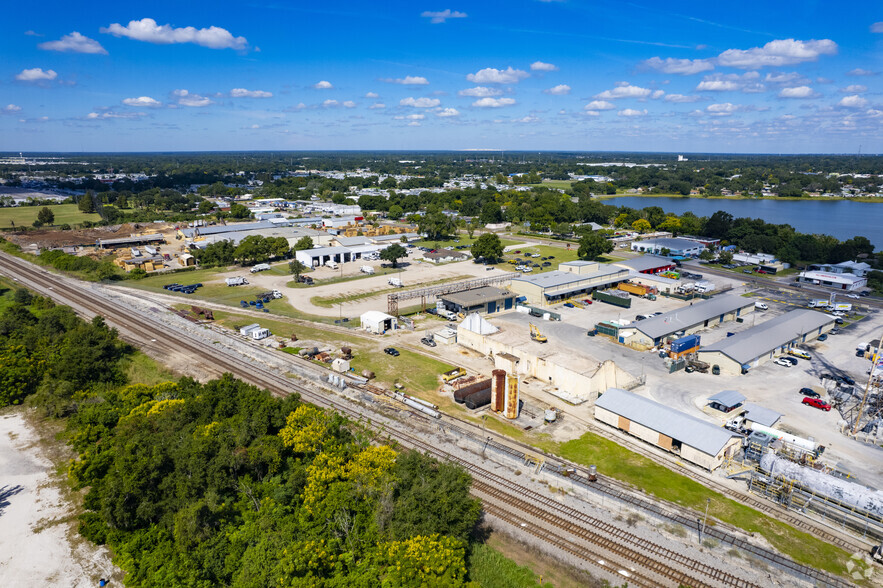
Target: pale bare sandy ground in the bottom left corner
[(39, 545)]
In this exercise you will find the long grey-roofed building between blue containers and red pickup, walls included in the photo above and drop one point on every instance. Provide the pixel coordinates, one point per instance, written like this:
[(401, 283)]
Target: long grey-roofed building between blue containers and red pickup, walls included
[(762, 342)]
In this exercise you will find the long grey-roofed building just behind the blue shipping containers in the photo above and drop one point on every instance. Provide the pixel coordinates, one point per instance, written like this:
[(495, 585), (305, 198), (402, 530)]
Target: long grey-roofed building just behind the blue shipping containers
[(684, 321)]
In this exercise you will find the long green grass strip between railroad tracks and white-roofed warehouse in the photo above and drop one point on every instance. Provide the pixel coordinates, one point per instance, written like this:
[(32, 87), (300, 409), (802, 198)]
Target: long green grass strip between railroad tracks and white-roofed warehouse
[(616, 461)]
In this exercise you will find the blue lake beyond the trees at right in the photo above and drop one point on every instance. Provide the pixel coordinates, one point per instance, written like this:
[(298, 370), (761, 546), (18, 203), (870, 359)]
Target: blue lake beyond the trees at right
[(840, 218)]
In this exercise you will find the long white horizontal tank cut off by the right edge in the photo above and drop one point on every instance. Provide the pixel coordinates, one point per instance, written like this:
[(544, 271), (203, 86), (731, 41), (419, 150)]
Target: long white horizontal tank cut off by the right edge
[(837, 488)]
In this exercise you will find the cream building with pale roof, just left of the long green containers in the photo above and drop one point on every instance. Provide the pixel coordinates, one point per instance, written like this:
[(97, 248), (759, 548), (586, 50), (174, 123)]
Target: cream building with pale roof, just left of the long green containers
[(573, 278)]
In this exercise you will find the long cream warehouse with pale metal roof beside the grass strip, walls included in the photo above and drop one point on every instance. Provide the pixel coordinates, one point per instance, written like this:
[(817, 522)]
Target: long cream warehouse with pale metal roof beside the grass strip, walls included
[(694, 440)]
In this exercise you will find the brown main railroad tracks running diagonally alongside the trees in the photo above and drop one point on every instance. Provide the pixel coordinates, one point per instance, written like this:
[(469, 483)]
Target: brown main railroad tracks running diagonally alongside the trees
[(502, 488)]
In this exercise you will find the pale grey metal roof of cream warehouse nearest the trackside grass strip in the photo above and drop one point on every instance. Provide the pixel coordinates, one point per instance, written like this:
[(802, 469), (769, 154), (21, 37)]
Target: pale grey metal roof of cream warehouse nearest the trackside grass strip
[(689, 430)]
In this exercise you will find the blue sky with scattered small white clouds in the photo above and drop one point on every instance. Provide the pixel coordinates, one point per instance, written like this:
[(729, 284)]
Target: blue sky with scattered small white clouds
[(770, 77)]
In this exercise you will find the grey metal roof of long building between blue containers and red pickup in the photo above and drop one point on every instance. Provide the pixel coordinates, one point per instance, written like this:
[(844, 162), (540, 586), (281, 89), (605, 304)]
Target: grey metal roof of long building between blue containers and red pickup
[(761, 339)]
